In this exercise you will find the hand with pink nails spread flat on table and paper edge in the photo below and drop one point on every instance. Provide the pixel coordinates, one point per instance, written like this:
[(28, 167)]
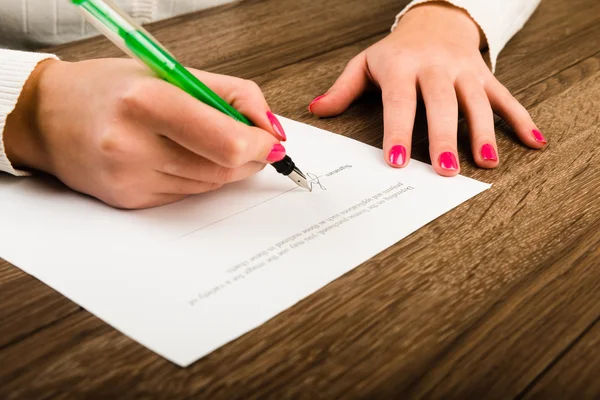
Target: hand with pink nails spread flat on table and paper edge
[(434, 52)]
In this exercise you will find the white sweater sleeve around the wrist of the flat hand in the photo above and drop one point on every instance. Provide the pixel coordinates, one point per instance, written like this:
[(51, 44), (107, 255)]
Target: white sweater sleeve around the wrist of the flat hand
[(499, 20)]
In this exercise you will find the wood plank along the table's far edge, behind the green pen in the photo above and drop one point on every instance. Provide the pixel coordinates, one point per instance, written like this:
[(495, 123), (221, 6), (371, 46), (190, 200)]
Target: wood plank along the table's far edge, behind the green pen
[(249, 38)]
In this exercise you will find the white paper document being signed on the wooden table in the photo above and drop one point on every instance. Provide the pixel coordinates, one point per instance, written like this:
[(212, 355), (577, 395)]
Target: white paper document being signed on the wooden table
[(186, 278)]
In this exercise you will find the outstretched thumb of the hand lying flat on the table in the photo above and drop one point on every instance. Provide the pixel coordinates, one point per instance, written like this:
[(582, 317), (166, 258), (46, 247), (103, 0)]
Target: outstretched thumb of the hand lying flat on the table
[(348, 87)]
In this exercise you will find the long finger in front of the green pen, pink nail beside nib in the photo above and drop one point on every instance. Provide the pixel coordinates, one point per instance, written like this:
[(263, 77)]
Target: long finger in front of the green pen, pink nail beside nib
[(200, 128)]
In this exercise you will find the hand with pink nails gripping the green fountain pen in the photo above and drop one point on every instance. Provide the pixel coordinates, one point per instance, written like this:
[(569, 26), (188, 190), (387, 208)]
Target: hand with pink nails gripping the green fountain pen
[(110, 129)]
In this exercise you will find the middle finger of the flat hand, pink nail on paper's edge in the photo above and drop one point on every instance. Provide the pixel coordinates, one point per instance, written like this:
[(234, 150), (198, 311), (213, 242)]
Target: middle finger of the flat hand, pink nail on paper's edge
[(442, 119)]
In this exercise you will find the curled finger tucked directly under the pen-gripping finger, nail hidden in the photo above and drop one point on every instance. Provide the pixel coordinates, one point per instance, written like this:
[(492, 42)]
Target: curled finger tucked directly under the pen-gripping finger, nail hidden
[(172, 159)]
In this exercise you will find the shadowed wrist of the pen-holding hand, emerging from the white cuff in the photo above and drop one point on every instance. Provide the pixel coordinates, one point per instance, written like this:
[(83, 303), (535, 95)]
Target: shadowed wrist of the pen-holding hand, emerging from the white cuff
[(22, 136)]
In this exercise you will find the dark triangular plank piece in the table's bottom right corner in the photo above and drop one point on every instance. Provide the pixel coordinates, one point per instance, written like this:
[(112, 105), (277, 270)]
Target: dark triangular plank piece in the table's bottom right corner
[(575, 376)]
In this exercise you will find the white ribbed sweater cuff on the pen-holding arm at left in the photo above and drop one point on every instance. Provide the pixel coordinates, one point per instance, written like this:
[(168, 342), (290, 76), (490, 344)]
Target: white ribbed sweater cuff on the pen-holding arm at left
[(15, 69)]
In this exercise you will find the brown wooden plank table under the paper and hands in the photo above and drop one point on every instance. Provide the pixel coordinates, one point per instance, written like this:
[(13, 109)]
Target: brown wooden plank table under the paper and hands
[(498, 298)]
